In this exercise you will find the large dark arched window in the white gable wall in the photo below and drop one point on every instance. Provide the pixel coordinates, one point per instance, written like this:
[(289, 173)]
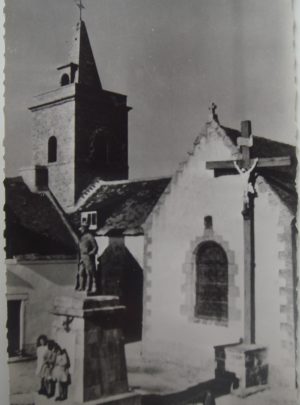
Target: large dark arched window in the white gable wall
[(211, 282)]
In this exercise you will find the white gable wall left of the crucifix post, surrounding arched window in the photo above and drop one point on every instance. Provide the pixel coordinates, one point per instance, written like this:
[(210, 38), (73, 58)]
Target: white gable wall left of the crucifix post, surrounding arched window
[(178, 222)]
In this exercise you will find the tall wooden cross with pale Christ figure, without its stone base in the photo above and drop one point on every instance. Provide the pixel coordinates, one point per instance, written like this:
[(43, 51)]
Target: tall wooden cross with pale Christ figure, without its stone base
[(247, 168)]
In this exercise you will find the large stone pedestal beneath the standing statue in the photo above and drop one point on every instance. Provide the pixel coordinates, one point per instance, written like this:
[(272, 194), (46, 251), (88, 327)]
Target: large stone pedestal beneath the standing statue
[(89, 329)]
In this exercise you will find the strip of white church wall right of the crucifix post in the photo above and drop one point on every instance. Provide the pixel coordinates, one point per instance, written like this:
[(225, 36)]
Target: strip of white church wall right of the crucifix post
[(275, 299)]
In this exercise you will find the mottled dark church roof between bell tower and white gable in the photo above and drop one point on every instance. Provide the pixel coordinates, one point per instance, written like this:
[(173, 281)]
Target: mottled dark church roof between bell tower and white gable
[(122, 205)]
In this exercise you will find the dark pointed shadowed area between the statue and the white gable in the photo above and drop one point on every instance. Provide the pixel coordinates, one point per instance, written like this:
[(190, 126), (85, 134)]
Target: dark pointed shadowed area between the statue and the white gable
[(121, 275)]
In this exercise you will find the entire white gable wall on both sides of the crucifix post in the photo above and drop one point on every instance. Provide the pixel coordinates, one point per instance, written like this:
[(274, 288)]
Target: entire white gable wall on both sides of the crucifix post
[(171, 332)]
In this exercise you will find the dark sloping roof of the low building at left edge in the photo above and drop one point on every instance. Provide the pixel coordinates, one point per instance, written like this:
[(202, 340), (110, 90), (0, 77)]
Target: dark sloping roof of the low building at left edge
[(33, 225)]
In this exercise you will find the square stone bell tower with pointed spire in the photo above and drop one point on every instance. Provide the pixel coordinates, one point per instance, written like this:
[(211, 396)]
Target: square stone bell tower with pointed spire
[(80, 130)]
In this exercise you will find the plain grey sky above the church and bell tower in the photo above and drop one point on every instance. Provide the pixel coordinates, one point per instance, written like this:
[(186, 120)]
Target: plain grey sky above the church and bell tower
[(171, 57)]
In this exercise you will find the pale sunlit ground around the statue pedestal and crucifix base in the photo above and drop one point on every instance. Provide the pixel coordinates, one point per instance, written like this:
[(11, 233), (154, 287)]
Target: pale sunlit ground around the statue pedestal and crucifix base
[(160, 386)]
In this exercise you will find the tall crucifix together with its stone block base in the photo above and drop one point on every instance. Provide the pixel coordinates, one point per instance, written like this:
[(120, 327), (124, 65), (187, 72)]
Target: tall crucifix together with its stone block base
[(247, 362)]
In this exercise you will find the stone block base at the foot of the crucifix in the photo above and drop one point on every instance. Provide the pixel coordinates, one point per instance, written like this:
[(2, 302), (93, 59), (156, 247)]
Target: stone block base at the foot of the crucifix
[(245, 366)]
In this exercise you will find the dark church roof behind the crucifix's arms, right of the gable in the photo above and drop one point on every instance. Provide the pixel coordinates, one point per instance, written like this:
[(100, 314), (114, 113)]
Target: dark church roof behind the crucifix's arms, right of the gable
[(281, 179)]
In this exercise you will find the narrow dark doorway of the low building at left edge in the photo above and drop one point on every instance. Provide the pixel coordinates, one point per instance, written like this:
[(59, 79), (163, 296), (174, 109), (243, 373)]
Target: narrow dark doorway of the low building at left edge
[(14, 327)]
